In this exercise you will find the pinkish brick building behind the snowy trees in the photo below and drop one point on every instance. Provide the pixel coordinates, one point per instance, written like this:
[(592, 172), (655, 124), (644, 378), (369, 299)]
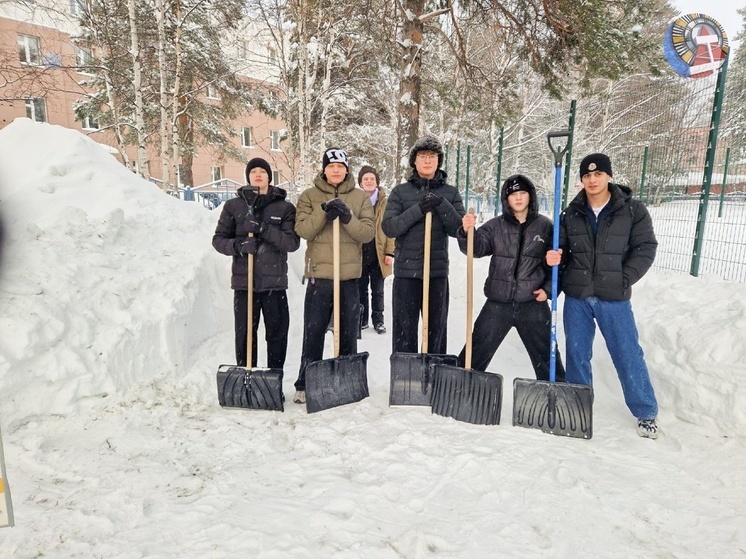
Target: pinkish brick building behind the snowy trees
[(42, 69)]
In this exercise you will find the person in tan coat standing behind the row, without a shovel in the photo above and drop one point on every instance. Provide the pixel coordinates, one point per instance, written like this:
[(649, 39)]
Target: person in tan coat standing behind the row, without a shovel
[(378, 254)]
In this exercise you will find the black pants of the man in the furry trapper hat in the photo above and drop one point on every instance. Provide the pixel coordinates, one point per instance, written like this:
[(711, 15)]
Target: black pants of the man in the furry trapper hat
[(407, 307)]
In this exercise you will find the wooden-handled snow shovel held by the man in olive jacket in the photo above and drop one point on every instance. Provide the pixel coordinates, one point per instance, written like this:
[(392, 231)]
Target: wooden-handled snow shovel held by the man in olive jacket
[(341, 380)]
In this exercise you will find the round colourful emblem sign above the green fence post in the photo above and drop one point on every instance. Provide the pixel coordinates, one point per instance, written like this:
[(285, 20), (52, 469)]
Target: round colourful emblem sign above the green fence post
[(695, 45)]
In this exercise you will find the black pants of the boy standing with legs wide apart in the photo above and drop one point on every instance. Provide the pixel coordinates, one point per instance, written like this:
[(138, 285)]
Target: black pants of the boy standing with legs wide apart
[(532, 320)]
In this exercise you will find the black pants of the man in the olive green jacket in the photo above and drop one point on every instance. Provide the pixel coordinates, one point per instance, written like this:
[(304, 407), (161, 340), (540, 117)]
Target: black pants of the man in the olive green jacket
[(317, 310)]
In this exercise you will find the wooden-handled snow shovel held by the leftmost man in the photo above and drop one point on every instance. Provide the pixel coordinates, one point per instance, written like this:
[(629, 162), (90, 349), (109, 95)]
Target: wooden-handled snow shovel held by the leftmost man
[(247, 387)]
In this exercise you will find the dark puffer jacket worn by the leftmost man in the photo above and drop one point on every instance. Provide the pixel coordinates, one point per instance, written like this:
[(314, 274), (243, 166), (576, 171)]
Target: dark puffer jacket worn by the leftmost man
[(277, 238)]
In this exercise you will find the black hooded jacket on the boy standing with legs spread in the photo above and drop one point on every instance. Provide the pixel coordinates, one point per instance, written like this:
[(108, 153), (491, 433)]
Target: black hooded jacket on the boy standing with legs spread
[(517, 266)]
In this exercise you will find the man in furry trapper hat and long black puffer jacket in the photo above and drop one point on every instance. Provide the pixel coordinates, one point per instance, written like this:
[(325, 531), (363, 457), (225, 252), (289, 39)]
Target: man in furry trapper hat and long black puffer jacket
[(404, 219)]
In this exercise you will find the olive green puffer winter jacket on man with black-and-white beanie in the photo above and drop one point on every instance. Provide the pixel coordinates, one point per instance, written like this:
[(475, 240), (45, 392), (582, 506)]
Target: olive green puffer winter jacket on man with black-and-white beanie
[(311, 225)]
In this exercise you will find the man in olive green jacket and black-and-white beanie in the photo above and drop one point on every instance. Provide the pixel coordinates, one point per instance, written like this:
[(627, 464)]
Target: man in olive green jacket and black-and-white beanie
[(332, 196)]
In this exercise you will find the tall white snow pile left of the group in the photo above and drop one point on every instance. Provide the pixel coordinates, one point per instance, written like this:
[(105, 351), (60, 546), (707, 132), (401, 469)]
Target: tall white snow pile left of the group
[(107, 280)]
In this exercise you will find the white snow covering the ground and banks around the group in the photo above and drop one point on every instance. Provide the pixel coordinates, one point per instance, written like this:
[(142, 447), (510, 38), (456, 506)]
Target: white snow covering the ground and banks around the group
[(115, 313)]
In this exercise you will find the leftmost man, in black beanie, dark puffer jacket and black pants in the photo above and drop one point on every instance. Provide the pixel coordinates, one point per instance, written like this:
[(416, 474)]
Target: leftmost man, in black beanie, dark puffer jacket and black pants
[(259, 221)]
